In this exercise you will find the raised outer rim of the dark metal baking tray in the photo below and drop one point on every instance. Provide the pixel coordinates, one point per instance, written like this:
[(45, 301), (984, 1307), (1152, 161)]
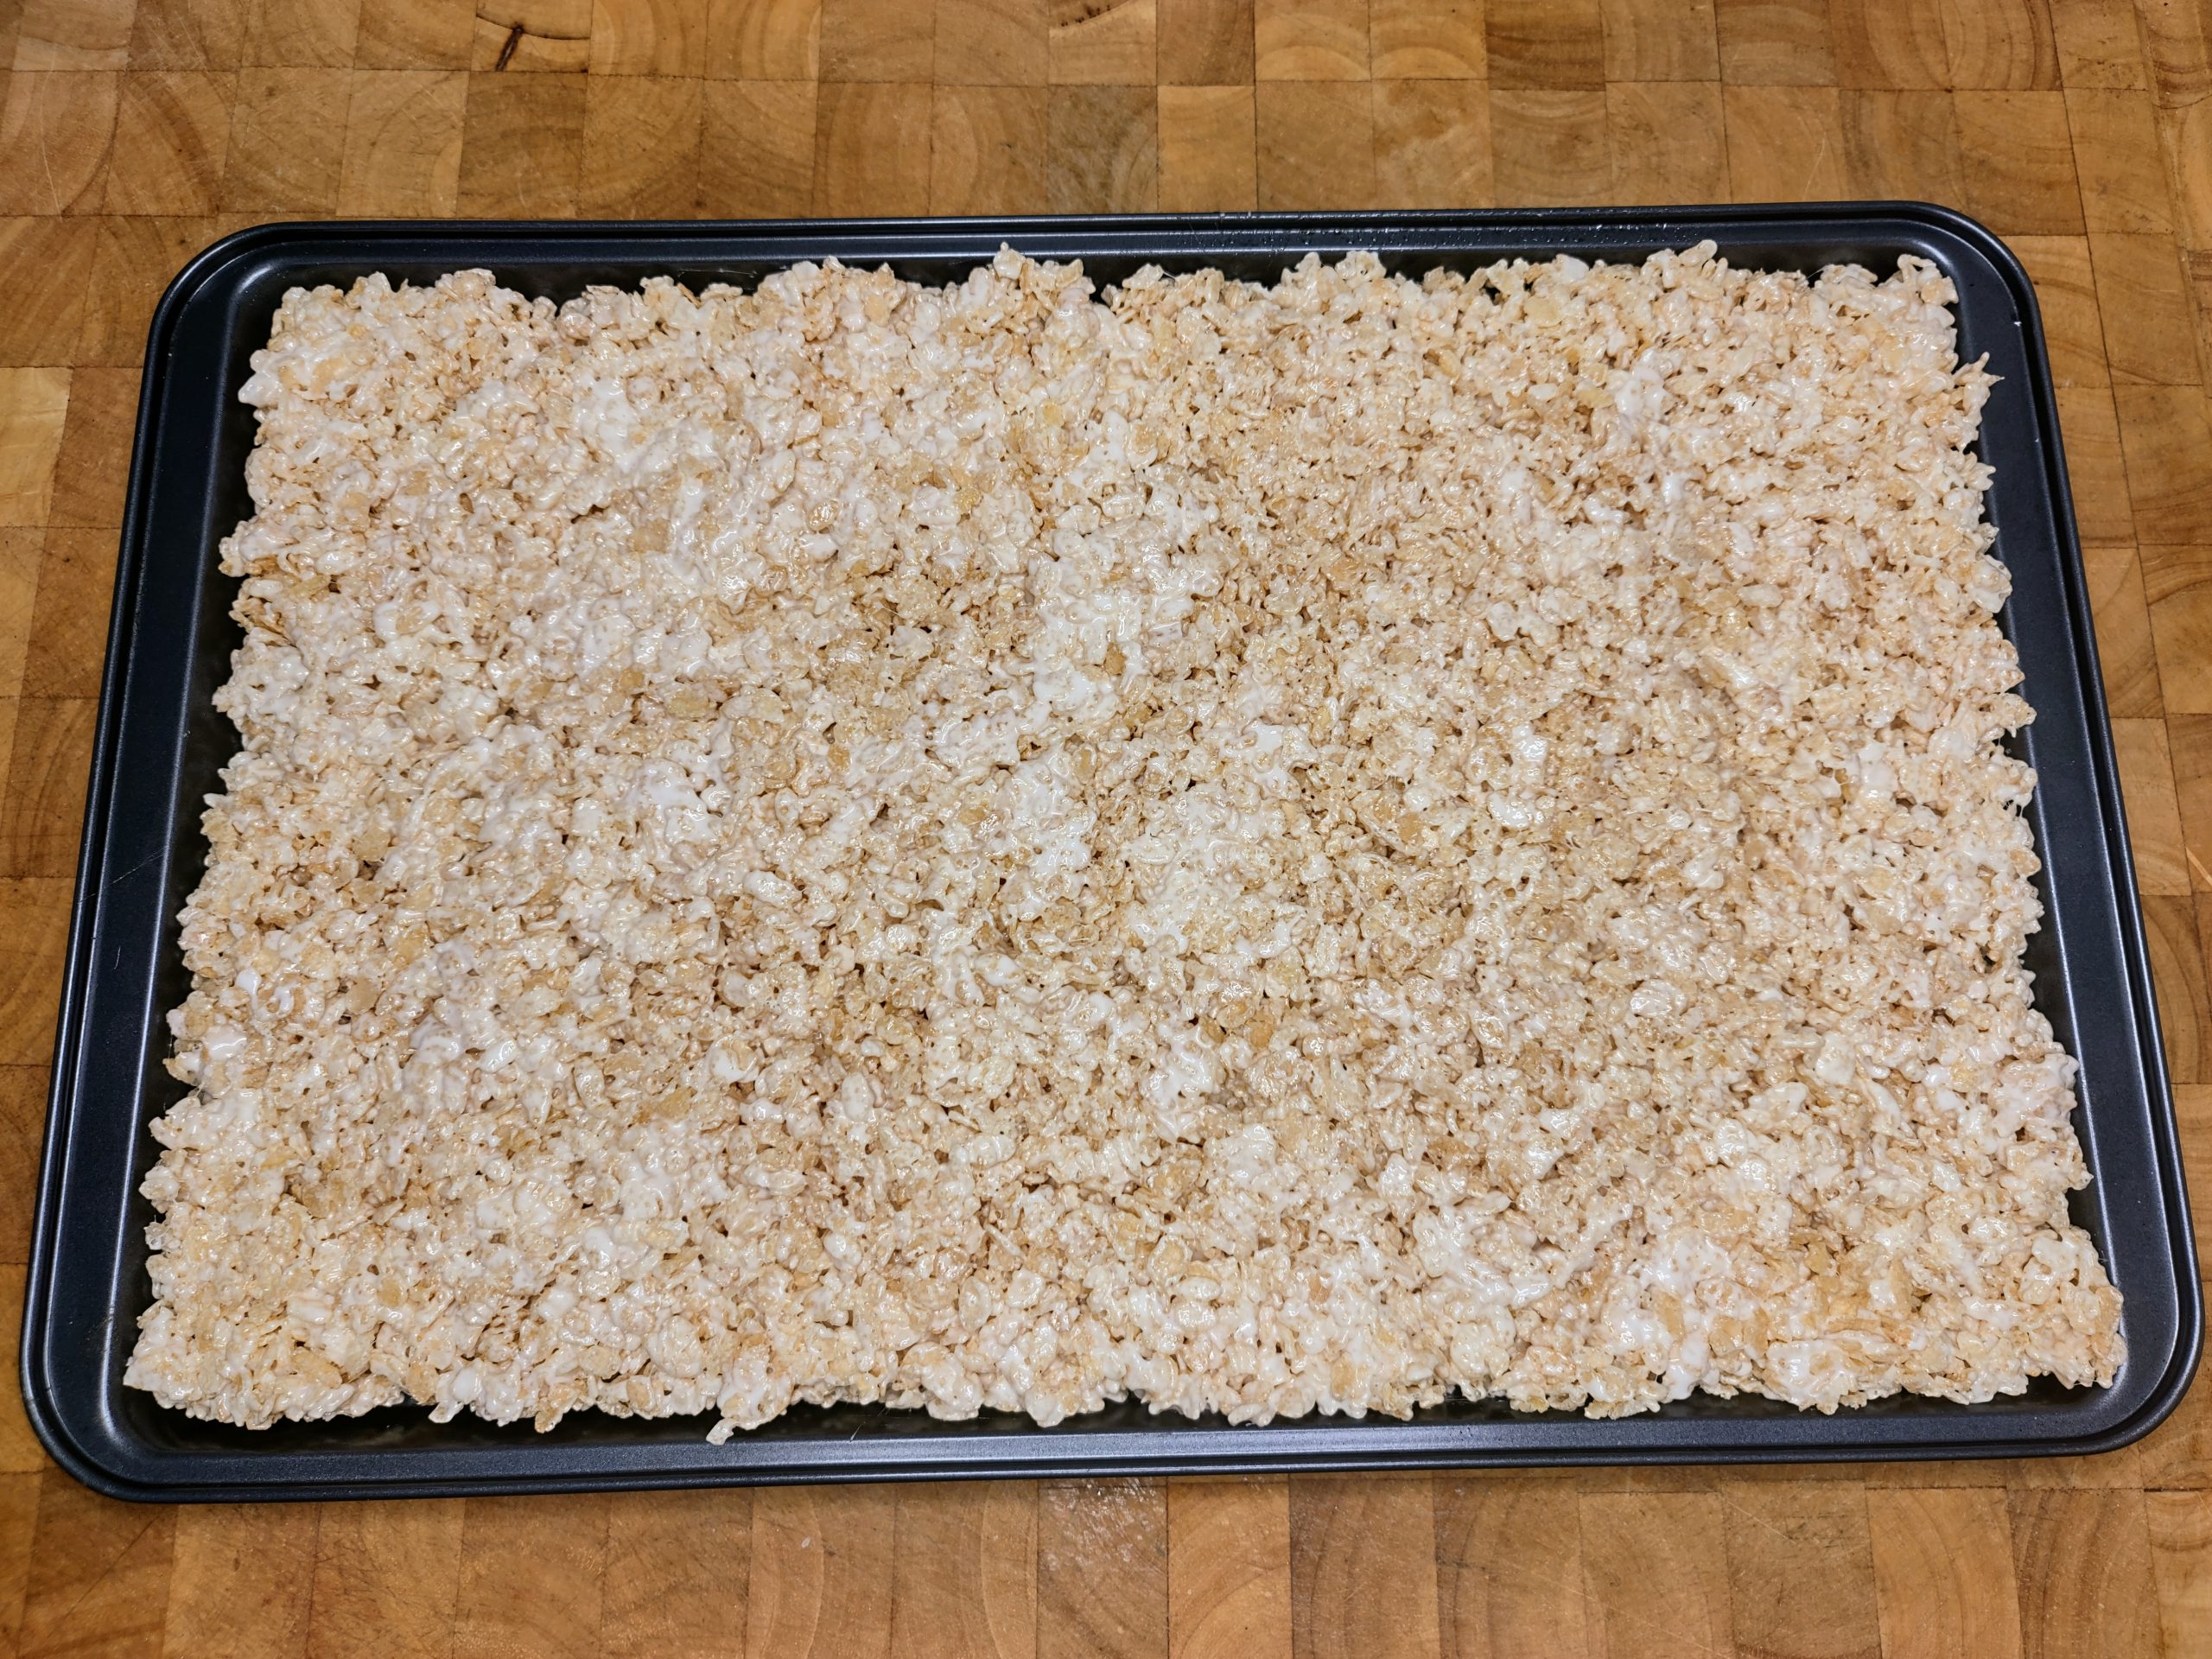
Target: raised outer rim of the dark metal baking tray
[(209, 267)]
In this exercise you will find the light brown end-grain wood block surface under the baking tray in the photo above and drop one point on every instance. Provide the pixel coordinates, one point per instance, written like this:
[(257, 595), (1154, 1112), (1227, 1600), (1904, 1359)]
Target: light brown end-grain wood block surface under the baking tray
[(134, 132)]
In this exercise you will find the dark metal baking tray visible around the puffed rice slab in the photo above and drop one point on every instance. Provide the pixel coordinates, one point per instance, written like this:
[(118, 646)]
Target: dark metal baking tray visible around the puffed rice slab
[(160, 747)]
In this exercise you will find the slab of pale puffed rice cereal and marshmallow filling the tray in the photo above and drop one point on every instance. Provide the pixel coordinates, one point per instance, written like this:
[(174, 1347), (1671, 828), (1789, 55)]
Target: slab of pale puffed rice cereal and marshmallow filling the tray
[(988, 848)]
